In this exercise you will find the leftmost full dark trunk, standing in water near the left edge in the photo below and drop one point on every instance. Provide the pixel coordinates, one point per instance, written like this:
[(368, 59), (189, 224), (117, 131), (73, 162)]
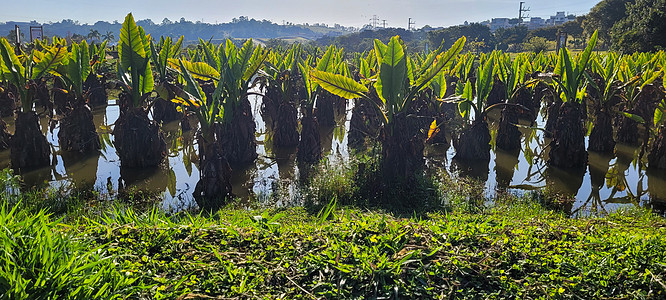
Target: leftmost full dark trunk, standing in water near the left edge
[(29, 148)]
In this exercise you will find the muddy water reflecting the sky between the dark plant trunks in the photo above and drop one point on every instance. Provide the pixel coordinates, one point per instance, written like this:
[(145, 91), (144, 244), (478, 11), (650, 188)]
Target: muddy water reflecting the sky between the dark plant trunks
[(608, 183)]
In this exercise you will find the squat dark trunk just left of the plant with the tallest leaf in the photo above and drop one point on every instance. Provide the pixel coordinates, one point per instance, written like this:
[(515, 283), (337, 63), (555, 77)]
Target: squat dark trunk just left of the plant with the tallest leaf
[(77, 131)]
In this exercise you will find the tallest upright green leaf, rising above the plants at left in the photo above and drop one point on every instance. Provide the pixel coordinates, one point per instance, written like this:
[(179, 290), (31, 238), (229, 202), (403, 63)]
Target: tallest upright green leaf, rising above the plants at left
[(131, 50)]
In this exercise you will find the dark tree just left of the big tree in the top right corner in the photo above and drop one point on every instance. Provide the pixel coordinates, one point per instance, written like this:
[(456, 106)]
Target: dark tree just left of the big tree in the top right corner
[(603, 16)]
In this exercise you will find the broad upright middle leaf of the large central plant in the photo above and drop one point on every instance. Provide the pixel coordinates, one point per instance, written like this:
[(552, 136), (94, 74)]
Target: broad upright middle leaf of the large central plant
[(391, 82)]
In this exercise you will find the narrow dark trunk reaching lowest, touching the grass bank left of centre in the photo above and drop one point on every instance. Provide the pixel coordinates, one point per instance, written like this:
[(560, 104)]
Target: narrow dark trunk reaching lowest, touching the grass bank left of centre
[(214, 186)]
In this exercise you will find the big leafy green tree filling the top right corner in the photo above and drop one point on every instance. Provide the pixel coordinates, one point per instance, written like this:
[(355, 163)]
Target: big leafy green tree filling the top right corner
[(643, 29)]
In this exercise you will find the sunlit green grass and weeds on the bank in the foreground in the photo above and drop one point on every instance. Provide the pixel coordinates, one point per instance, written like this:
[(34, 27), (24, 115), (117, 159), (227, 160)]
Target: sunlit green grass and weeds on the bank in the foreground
[(514, 248)]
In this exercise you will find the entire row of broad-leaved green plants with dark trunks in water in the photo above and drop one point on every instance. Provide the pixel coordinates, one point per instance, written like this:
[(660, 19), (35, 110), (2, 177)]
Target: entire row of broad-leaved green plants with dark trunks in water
[(403, 100)]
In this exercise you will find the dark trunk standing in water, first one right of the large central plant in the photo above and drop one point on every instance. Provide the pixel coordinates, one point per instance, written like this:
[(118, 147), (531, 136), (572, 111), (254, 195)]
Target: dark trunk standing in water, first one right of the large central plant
[(473, 144)]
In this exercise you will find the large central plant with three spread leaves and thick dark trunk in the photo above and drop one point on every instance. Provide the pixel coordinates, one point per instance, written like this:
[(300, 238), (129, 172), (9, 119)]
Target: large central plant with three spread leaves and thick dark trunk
[(397, 83)]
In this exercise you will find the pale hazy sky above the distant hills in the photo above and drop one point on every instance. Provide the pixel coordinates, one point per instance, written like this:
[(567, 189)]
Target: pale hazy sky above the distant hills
[(344, 12)]
